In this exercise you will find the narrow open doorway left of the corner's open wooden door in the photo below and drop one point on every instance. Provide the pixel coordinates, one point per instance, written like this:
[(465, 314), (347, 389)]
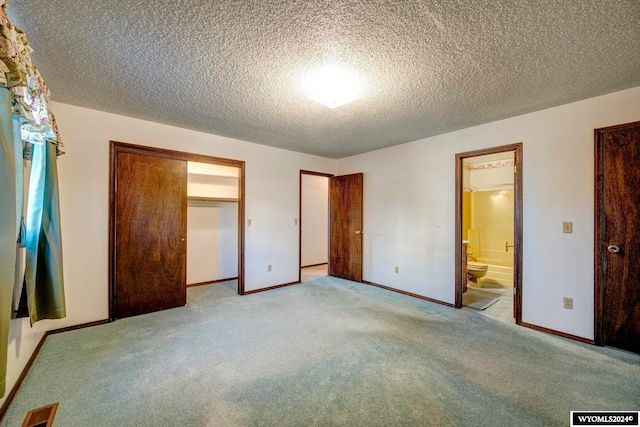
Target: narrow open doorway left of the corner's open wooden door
[(314, 225)]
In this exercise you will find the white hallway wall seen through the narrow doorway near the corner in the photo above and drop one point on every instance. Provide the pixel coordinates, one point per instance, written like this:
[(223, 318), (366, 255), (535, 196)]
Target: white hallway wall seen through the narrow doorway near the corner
[(315, 219)]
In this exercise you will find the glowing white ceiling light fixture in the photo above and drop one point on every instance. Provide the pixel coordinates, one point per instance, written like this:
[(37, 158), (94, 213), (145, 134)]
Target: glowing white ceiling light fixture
[(332, 86)]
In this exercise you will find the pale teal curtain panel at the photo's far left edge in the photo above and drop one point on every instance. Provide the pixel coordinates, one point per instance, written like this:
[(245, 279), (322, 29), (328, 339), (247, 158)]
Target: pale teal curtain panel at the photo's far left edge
[(10, 208)]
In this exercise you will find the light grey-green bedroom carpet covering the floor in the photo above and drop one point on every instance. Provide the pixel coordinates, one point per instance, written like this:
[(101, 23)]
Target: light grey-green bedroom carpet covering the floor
[(327, 352)]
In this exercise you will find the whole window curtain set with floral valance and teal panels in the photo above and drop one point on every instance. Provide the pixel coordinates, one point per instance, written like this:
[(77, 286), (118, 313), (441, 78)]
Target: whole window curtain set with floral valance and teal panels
[(26, 118)]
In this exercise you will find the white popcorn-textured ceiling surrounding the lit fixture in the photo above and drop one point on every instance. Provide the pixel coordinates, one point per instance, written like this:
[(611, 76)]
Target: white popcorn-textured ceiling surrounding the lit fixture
[(234, 68)]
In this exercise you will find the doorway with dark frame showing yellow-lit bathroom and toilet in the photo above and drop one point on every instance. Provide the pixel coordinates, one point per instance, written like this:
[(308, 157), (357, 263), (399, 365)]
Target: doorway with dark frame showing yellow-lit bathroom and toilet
[(489, 231)]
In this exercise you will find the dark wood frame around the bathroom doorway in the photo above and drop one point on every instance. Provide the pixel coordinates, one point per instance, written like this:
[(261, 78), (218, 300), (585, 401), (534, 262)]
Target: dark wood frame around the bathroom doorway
[(517, 213)]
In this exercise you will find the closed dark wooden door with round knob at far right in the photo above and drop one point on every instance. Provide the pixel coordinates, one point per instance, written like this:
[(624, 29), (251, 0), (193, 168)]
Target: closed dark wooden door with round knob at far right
[(618, 245)]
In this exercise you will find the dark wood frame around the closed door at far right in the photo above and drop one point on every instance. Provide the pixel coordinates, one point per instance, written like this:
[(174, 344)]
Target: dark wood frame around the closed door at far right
[(599, 229)]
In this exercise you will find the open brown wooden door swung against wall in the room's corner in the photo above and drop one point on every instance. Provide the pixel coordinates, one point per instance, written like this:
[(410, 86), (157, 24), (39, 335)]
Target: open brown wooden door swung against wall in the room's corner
[(345, 227)]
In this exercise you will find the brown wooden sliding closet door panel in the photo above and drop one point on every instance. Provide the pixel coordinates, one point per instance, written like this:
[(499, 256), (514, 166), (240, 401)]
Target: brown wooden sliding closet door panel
[(150, 234)]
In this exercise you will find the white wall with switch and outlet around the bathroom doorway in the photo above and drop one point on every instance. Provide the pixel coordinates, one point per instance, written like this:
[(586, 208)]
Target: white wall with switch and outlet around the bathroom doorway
[(409, 207)]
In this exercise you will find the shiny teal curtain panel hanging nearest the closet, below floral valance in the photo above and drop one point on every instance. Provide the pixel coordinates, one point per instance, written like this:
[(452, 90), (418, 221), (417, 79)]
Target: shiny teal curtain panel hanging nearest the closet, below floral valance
[(43, 276)]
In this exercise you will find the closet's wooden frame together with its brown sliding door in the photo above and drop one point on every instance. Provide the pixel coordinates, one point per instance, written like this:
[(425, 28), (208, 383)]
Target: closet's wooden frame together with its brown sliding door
[(148, 227)]
